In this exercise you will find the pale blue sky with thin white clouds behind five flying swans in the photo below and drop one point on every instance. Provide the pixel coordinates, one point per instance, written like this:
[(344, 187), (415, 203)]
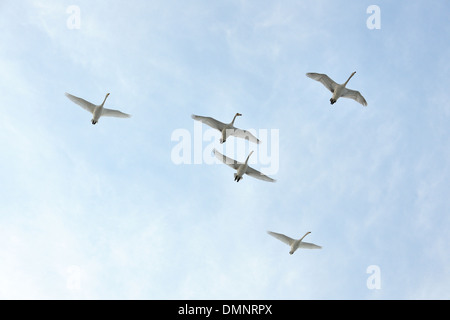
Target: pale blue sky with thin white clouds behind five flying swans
[(103, 212)]
